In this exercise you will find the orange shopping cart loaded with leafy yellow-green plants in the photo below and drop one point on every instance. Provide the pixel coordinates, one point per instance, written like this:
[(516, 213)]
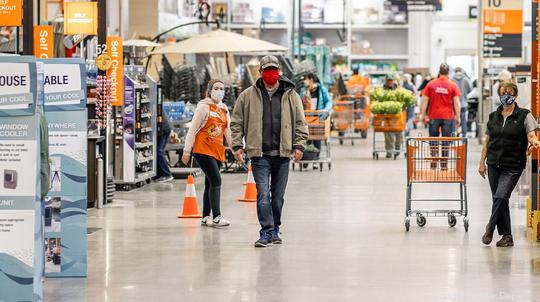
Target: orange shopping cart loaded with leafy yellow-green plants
[(388, 123)]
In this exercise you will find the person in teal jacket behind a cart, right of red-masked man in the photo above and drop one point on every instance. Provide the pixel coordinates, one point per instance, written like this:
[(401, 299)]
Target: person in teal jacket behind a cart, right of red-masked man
[(315, 96)]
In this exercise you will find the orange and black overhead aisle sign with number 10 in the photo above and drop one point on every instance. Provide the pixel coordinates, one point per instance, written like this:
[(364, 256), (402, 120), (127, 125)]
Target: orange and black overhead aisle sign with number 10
[(502, 28)]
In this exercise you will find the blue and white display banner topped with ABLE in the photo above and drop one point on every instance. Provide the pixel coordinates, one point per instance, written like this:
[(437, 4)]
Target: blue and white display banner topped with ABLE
[(65, 204)]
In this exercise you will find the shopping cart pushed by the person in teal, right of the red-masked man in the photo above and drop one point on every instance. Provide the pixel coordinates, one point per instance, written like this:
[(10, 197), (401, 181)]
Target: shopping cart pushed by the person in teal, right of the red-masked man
[(319, 130)]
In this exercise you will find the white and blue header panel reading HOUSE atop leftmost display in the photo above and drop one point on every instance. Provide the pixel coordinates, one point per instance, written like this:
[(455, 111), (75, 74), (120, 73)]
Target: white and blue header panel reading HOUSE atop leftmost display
[(18, 81)]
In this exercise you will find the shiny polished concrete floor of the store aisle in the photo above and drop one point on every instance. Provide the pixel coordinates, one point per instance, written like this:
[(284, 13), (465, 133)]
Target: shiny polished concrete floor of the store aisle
[(344, 240)]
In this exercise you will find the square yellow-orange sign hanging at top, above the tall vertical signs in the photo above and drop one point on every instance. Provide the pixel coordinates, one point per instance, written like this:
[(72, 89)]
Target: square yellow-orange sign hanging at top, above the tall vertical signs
[(80, 18)]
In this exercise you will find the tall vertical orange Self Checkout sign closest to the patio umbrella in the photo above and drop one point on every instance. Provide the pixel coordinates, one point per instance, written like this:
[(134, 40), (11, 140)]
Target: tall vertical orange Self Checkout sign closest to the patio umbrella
[(116, 72)]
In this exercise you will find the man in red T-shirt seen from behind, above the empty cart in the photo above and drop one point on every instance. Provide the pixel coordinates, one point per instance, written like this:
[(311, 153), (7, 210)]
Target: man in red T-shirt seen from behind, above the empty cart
[(441, 106)]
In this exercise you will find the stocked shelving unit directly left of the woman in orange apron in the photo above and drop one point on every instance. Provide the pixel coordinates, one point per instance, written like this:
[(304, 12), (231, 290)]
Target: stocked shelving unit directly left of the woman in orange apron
[(135, 134)]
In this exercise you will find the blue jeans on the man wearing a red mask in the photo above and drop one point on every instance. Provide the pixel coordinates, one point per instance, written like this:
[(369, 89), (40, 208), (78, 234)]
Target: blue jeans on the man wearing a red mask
[(271, 174)]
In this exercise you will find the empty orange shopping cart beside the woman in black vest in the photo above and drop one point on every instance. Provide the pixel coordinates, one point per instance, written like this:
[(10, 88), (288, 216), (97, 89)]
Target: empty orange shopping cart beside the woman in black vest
[(437, 160)]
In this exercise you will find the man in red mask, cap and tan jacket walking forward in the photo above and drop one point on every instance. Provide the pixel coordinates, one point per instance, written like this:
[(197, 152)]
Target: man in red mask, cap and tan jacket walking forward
[(269, 116)]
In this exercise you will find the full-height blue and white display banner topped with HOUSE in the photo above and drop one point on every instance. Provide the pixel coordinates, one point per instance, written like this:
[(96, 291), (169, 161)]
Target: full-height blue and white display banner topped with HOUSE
[(21, 237)]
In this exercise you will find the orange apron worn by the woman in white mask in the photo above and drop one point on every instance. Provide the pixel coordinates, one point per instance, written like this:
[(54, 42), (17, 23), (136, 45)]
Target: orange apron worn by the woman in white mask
[(209, 140)]
